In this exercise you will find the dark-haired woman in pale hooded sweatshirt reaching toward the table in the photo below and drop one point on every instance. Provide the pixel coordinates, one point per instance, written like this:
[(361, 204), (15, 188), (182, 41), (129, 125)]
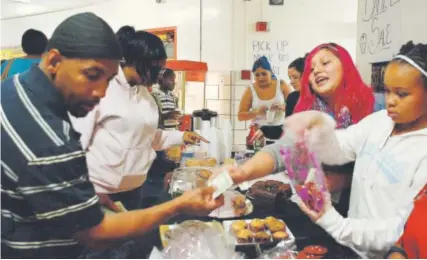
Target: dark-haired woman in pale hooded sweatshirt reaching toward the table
[(121, 134)]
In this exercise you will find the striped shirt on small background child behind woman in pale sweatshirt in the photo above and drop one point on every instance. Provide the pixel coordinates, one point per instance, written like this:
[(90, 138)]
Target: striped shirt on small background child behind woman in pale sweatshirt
[(167, 103)]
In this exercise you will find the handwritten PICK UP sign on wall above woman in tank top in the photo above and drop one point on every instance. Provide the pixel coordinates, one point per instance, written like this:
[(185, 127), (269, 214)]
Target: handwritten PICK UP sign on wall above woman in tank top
[(275, 51)]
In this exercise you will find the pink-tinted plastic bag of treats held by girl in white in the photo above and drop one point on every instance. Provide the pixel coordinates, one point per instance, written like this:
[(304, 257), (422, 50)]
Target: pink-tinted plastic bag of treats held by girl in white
[(304, 171)]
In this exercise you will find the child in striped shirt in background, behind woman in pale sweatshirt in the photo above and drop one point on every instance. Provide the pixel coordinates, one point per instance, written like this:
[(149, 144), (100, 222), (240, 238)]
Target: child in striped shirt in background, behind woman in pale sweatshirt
[(167, 101)]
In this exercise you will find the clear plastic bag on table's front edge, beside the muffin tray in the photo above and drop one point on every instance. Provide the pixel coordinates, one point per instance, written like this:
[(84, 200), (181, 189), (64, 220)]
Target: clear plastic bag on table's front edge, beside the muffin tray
[(199, 240)]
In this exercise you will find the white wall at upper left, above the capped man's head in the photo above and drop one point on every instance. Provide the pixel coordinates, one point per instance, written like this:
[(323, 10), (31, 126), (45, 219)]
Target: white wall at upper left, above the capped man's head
[(142, 14)]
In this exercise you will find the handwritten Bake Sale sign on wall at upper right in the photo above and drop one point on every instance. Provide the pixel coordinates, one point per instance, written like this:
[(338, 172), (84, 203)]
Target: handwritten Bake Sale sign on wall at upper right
[(379, 29)]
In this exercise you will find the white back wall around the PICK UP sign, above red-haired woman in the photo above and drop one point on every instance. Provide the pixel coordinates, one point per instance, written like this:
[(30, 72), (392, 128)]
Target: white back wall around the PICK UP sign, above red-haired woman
[(302, 24)]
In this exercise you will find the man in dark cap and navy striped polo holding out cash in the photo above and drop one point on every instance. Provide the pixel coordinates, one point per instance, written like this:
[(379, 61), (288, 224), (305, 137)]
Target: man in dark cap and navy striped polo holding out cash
[(49, 207)]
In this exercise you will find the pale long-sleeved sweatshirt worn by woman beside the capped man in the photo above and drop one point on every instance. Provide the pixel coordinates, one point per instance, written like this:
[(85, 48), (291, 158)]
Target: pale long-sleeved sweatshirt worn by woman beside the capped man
[(121, 137)]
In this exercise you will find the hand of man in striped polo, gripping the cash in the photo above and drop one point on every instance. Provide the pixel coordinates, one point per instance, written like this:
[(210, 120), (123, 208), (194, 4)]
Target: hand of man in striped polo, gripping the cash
[(199, 202)]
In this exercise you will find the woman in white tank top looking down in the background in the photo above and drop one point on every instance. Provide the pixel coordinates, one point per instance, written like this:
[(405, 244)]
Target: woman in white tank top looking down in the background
[(267, 93)]
